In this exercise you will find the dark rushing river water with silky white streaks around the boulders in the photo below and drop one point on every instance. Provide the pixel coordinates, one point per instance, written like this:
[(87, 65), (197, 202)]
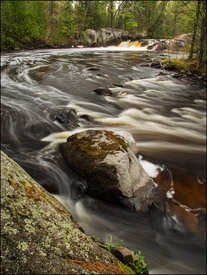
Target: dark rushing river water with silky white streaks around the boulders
[(166, 116)]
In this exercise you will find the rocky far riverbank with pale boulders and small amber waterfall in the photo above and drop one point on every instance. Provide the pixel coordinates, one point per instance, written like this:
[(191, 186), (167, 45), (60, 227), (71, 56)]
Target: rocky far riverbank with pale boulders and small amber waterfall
[(109, 37)]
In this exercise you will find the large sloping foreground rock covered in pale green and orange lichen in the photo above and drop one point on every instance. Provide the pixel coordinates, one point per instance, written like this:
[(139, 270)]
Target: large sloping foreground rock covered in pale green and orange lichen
[(38, 235)]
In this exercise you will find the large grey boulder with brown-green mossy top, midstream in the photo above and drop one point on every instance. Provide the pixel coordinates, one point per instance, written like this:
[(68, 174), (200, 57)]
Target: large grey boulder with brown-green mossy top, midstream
[(108, 163)]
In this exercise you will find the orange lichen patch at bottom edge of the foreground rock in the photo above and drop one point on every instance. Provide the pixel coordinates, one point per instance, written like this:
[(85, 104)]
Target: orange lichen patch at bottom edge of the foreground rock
[(99, 267)]
